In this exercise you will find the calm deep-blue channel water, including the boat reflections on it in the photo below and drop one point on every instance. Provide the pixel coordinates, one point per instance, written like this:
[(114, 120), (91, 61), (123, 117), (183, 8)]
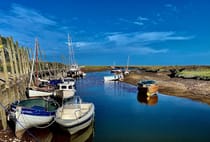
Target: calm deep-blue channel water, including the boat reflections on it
[(122, 115)]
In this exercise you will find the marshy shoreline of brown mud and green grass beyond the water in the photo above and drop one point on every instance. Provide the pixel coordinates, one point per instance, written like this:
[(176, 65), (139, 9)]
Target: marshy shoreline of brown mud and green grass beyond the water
[(183, 81)]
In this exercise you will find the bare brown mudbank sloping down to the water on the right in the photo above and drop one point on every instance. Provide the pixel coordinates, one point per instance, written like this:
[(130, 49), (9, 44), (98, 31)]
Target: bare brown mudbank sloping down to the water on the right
[(190, 88)]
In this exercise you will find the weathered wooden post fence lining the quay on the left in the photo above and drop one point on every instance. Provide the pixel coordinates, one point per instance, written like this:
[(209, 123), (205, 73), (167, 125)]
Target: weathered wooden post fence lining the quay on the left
[(15, 68)]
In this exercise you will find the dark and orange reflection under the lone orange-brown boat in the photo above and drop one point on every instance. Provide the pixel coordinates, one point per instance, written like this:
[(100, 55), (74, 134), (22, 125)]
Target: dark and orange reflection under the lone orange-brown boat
[(149, 100)]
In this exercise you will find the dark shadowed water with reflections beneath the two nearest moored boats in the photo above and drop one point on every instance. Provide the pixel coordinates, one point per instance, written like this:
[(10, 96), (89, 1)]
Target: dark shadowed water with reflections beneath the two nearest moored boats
[(56, 134)]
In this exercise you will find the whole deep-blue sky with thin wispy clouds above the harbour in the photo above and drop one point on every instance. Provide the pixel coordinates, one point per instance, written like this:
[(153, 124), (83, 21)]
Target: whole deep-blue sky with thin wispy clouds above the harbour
[(150, 32)]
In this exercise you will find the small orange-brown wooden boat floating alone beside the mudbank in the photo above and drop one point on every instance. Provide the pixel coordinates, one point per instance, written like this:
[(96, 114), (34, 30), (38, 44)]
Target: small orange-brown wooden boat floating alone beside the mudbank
[(149, 87)]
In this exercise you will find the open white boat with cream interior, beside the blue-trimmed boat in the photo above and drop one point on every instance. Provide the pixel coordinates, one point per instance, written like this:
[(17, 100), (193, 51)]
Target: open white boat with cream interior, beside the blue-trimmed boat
[(75, 115)]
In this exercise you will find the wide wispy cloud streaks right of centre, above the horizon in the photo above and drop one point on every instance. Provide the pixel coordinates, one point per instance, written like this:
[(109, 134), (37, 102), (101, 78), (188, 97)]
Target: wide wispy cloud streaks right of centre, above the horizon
[(144, 42)]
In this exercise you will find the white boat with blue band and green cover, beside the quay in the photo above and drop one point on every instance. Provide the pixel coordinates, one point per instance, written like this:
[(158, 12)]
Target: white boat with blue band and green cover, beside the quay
[(32, 113)]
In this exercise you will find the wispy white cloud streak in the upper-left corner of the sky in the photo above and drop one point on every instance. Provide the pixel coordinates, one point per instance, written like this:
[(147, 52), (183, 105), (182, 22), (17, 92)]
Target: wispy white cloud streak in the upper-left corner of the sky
[(19, 18)]
